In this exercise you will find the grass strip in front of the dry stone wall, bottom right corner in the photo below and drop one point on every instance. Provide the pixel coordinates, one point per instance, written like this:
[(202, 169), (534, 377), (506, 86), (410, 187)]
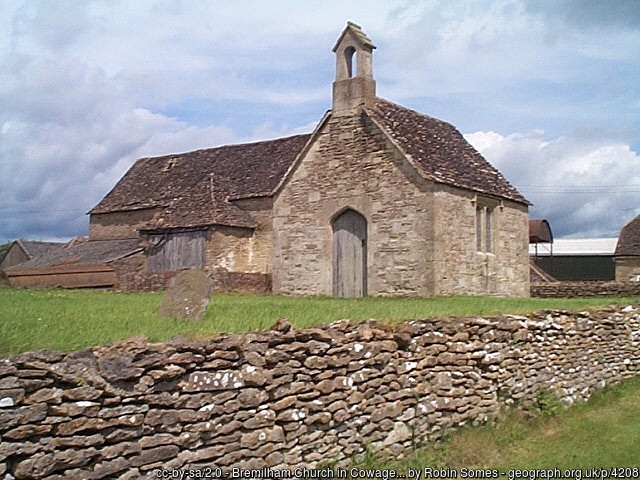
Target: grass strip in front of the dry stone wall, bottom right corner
[(602, 433)]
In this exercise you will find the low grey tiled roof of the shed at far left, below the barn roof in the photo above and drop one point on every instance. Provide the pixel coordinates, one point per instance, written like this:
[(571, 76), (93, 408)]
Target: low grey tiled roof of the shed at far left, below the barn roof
[(87, 253)]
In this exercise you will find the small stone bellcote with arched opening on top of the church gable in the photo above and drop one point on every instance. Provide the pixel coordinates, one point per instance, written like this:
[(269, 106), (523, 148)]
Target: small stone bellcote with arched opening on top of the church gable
[(354, 86)]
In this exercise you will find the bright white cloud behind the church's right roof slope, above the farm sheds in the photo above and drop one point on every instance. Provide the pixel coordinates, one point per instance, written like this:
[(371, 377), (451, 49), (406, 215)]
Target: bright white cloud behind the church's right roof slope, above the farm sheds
[(584, 187)]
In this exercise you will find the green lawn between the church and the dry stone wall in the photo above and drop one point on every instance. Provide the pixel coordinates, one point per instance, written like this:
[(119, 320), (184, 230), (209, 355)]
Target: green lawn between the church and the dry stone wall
[(72, 319)]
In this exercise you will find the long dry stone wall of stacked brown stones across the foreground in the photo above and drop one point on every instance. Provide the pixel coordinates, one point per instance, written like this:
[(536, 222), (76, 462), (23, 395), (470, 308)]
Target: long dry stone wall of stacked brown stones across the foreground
[(287, 399)]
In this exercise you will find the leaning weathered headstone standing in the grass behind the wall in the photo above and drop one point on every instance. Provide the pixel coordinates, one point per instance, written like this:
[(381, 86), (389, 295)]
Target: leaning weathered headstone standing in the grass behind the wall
[(187, 296)]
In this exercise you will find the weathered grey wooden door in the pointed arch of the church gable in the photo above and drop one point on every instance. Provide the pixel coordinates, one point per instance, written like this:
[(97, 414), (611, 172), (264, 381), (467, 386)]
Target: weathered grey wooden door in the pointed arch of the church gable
[(350, 255)]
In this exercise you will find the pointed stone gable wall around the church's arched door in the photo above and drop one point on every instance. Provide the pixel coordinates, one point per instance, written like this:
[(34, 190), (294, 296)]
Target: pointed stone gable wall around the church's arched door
[(351, 165)]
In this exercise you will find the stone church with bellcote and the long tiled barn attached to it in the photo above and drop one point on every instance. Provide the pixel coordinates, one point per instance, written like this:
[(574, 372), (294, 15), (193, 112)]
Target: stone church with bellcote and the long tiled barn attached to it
[(377, 200)]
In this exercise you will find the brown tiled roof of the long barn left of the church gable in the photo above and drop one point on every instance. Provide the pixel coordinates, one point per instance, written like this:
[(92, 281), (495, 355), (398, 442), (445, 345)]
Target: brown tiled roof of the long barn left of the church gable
[(194, 187)]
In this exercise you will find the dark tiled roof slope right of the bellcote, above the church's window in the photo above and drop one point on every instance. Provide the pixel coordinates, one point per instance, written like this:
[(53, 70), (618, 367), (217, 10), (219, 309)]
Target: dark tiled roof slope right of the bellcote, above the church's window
[(441, 151)]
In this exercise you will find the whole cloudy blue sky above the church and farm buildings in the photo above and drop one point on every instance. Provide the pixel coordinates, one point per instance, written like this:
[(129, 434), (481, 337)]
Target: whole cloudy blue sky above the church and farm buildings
[(547, 90)]
